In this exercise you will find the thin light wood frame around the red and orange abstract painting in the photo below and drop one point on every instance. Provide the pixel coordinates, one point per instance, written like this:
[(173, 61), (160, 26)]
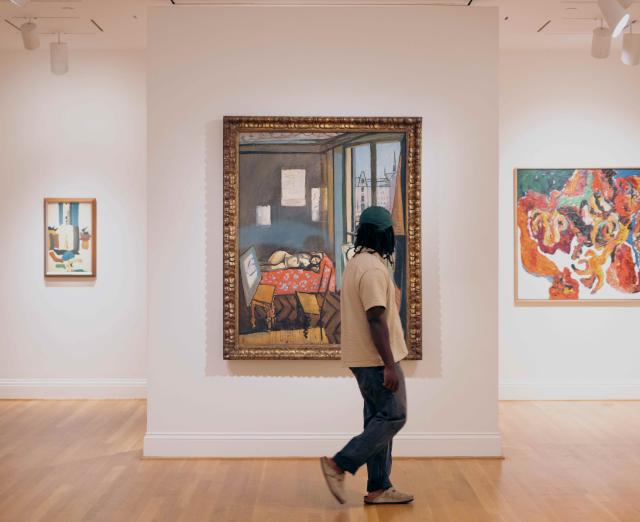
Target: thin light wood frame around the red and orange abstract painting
[(516, 254)]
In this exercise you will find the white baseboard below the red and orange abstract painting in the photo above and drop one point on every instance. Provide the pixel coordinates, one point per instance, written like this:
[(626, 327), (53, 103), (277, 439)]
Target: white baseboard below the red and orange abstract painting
[(524, 391)]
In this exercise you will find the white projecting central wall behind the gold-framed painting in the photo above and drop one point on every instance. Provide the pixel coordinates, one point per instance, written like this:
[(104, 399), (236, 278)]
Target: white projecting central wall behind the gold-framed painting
[(207, 62)]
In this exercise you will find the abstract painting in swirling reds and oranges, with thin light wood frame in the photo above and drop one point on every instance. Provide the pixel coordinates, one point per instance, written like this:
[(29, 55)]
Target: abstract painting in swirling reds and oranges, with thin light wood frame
[(577, 236)]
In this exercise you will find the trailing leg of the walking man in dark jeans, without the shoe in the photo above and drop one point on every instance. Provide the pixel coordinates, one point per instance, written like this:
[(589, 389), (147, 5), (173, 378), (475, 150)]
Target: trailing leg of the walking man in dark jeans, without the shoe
[(390, 415)]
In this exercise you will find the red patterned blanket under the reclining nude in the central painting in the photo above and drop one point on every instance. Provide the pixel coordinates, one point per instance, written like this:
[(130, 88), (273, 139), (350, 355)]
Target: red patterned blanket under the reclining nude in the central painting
[(291, 280)]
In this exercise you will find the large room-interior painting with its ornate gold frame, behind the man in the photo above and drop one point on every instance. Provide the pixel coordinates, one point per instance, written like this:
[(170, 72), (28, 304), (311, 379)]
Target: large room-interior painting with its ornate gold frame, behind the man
[(294, 190)]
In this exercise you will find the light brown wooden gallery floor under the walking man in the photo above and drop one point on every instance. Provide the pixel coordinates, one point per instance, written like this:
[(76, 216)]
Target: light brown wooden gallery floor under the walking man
[(68, 461)]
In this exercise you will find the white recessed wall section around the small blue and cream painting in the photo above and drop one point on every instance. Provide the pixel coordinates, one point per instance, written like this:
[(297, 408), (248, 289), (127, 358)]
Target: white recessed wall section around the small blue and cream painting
[(82, 134)]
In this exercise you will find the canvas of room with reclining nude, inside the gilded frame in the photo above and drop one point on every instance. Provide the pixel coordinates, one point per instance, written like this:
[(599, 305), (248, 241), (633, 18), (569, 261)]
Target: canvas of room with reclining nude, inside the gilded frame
[(300, 197)]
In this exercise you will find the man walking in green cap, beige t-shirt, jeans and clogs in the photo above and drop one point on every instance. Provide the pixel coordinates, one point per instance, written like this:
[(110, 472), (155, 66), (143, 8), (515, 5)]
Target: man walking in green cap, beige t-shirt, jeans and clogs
[(372, 346)]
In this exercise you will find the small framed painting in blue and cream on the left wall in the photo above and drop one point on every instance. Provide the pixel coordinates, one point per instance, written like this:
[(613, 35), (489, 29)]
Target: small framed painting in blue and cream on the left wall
[(70, 237)]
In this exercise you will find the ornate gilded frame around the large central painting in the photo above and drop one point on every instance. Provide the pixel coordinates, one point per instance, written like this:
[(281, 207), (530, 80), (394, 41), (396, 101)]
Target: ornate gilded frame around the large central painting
[(233, 126)]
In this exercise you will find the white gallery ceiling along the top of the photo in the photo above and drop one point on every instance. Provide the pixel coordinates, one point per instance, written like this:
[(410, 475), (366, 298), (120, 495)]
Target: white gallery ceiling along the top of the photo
[(121, 24)]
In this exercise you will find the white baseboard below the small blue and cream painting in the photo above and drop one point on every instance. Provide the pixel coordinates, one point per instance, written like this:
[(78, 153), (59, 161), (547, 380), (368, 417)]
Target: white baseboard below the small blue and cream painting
[(73, 388)]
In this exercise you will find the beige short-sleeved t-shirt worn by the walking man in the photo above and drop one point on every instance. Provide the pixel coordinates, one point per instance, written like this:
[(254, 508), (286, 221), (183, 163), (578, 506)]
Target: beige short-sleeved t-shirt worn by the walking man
[(366, 283)]
